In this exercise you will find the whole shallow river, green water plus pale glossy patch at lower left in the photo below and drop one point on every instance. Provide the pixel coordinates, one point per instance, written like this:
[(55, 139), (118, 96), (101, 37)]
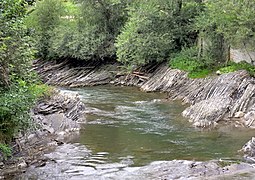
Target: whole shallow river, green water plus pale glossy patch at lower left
[(129, 128)]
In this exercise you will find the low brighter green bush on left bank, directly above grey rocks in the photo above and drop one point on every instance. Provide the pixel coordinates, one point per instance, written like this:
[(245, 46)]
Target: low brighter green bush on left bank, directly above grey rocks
[(15, 105)]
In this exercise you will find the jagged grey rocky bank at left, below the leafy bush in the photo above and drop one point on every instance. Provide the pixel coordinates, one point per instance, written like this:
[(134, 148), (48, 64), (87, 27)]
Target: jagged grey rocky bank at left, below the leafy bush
[(56, 119)]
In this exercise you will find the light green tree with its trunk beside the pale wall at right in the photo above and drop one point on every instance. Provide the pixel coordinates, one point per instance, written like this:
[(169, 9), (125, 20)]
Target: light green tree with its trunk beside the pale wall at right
[(226, 22)]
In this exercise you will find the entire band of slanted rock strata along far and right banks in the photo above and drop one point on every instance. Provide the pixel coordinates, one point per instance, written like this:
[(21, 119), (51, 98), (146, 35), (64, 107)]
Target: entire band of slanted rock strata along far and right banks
[(228, 97)]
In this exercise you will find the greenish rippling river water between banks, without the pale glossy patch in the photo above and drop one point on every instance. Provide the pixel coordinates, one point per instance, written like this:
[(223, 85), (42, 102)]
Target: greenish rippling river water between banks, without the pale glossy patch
[(125, 122)]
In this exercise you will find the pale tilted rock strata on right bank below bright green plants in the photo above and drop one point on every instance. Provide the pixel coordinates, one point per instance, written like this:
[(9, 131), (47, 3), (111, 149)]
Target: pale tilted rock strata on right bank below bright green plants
[(226, 97)]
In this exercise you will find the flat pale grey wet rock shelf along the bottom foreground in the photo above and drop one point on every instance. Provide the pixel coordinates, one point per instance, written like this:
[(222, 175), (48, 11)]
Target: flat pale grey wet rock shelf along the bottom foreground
[(62, 166)]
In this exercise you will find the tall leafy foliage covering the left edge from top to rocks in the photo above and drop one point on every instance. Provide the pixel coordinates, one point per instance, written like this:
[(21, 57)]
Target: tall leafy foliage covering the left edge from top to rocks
[(17, 82)]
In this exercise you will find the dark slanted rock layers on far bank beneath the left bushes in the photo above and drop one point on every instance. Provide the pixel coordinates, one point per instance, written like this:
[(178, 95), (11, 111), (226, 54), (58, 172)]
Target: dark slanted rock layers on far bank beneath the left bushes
[(75, 74)]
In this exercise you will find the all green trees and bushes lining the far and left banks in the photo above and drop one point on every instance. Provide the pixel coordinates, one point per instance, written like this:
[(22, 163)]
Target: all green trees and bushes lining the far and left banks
[(191, 35)]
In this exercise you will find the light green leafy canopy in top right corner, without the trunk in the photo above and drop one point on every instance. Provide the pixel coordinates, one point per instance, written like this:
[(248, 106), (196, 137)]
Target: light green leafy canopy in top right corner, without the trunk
[(233, 18)]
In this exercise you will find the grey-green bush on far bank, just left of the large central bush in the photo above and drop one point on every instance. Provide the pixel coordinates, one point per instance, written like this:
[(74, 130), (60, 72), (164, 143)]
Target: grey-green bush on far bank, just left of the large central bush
[(98, 24)]
